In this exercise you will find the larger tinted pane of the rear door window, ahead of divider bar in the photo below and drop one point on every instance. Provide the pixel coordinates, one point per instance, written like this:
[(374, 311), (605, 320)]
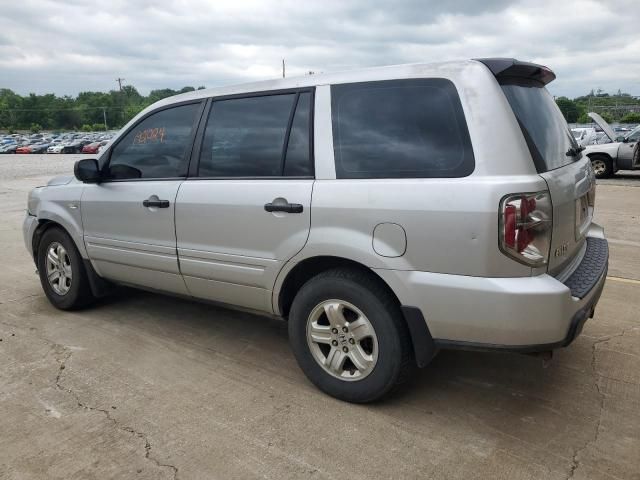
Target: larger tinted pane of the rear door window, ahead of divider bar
[(245, 137)]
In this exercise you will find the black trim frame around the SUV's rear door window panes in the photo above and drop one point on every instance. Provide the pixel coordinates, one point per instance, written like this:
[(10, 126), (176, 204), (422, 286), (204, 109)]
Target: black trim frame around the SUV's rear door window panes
[(199, 139)]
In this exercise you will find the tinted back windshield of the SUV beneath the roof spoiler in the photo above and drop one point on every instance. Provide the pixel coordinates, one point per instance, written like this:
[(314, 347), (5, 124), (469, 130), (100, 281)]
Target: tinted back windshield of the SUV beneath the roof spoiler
[(544, 128)]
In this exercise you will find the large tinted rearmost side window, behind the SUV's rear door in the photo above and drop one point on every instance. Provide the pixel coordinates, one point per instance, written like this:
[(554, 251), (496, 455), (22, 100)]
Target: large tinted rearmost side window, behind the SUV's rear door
[(412, 128)]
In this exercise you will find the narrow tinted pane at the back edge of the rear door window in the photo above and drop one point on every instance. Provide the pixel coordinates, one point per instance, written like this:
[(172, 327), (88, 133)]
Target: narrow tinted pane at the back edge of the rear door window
[(298, 159)]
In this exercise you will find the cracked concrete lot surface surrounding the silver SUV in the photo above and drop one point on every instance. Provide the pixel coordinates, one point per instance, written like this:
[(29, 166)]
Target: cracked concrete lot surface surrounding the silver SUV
[(145, 386)]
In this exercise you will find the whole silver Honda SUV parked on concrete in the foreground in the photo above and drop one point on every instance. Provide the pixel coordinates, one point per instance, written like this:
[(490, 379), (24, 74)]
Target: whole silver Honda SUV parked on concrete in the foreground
[(386, 213)]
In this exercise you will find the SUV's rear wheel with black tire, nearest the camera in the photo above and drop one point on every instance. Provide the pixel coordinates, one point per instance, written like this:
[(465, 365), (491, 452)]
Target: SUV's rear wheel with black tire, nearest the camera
[(349, 337)]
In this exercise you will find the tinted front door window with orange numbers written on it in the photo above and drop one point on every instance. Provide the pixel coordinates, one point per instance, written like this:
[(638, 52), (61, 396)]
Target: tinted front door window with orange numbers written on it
[(156, 147)]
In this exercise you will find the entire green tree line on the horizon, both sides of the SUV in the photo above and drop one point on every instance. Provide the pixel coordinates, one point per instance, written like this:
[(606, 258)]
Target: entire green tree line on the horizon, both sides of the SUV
[(92, 110)]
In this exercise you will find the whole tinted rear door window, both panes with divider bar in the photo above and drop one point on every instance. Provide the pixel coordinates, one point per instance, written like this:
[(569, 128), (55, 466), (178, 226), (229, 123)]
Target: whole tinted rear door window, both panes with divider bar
[(248, 137)]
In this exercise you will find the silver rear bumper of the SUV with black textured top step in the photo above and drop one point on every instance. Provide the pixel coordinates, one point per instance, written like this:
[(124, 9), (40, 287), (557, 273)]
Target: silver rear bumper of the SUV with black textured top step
[(524, 314)]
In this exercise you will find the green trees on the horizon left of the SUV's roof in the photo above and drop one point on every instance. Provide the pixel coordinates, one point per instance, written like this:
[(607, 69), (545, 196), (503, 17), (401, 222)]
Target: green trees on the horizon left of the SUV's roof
[(87, 111)]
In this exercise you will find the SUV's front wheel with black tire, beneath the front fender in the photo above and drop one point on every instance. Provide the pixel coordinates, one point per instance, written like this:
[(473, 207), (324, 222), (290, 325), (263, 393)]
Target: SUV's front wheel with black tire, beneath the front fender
[(61, 270)]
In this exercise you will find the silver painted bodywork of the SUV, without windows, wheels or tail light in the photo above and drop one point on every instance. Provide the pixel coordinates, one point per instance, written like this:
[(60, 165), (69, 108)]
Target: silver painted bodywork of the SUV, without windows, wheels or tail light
[(217, 242)]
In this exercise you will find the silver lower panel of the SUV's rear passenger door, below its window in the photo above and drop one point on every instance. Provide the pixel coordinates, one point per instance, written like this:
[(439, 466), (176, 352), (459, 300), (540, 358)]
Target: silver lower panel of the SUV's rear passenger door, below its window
[(230, 248)]
